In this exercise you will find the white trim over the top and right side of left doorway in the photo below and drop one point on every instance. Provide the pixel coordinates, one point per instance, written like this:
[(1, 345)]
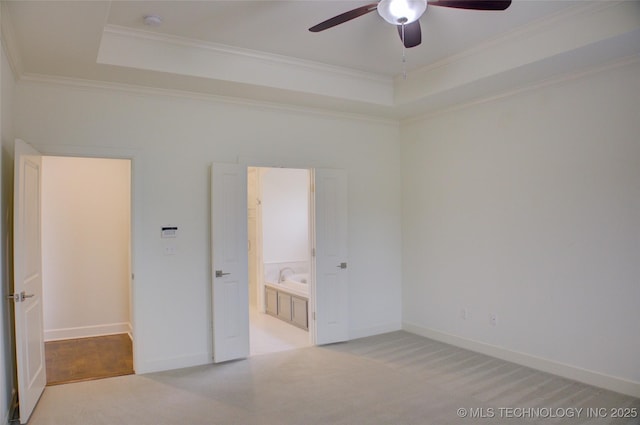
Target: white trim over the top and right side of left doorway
[(133, 155)]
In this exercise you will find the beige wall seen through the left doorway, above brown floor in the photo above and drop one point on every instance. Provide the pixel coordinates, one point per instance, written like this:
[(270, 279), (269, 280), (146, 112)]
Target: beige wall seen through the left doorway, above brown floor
[(86, 210)]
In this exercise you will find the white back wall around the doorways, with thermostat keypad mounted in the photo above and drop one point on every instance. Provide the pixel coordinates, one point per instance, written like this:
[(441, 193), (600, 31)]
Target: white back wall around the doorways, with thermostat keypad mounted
[(173, 141)]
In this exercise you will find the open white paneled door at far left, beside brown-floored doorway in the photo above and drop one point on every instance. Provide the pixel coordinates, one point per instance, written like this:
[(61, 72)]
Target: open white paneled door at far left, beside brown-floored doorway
[(27, 257)]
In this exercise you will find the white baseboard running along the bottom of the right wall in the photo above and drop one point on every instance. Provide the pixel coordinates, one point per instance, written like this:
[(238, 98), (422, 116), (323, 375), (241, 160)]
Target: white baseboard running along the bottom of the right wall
[(575, 373)]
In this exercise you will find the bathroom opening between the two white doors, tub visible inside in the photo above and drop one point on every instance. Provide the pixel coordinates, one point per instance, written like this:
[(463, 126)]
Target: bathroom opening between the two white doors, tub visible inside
[(279, 251)]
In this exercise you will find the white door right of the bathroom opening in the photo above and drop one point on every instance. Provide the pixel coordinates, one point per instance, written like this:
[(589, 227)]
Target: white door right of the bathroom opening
[(331, 285)]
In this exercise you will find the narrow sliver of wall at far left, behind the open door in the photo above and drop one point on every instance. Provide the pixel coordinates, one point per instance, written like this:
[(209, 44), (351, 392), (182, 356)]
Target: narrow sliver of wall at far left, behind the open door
[(7, 85)]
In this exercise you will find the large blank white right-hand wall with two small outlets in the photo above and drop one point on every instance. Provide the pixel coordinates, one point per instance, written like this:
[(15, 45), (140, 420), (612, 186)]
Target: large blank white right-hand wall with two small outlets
[(529, 207)]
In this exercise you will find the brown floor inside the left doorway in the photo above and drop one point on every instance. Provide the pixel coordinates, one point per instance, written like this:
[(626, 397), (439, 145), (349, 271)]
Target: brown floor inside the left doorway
[(83, 359)]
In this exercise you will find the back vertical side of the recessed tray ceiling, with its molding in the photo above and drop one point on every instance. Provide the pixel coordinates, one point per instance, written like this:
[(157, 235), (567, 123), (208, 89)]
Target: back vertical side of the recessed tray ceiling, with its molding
[(164, 53)]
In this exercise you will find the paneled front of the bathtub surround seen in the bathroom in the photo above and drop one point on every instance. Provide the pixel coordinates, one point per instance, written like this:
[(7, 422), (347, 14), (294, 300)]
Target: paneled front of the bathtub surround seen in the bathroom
[(287, 306)]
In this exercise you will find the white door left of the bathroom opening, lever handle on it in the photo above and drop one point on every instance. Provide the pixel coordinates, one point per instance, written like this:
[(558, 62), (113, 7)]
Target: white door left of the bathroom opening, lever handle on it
[(230, 293)]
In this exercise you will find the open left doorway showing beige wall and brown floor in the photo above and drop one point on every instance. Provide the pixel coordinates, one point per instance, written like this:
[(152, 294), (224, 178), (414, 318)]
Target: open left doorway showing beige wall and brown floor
[(86, 256)]
